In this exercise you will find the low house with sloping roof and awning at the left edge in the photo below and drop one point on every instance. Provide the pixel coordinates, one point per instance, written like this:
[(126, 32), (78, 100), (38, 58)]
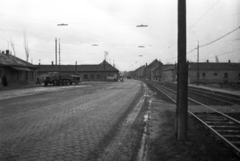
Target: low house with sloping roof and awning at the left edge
[(16, 70)]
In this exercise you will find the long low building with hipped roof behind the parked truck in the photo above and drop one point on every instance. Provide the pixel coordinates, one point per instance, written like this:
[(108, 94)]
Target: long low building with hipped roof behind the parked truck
[(93, 72)]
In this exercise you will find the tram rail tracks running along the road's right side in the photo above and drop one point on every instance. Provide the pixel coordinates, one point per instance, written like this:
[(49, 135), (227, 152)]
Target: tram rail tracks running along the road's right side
[(222, 125)]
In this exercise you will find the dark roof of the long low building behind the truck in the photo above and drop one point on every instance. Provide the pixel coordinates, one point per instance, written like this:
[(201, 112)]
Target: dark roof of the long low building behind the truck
[(80, 68)]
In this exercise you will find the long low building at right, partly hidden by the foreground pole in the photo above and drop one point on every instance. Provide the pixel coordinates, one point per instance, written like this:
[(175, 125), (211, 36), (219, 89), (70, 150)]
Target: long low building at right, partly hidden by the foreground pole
[(209, 73)]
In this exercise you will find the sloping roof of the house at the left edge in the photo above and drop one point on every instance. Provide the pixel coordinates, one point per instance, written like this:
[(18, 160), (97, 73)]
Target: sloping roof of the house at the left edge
[(10, 60)]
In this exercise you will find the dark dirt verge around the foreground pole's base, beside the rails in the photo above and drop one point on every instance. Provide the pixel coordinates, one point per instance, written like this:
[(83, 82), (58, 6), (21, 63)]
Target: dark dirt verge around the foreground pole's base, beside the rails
[(163, 145)]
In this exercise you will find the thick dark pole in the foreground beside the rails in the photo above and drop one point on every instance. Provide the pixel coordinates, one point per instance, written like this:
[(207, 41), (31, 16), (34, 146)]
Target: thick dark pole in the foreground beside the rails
[(182, 101)]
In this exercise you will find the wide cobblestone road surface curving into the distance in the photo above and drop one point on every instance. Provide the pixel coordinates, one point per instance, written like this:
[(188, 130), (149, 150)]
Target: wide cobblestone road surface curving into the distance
[(68, 124)]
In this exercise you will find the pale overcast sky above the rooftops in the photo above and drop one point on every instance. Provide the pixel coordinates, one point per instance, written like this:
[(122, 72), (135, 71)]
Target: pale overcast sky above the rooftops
[(111, 24)]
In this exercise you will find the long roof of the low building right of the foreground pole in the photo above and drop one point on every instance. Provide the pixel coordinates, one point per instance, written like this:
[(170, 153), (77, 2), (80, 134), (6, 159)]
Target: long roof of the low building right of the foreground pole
[(214, 66)]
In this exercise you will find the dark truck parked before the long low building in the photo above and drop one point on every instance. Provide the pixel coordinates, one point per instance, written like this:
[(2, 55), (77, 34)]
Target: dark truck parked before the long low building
[(56, 79)]
